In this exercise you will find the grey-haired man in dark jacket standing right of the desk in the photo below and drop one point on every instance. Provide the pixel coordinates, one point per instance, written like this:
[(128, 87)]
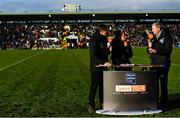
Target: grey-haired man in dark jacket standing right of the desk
[(160, 54)]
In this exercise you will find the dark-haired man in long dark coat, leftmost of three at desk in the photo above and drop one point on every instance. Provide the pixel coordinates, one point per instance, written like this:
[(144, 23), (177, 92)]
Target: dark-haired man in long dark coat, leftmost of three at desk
[(98, 56)]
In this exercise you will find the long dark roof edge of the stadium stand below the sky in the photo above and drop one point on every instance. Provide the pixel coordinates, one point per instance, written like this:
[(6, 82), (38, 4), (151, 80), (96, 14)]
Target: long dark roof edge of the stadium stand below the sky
[(88, 15)]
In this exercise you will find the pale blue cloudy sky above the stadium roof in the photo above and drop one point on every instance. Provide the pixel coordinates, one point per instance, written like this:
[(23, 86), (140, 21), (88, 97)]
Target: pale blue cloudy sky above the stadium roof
[(95, 5)]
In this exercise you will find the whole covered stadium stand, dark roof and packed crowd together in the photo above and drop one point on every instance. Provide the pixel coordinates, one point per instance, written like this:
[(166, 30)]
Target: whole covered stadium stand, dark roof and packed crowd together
[(26, 31)]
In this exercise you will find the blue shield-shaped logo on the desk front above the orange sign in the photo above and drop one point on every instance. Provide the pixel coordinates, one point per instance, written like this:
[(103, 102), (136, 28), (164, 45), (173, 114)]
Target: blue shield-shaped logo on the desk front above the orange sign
[(130, 78)]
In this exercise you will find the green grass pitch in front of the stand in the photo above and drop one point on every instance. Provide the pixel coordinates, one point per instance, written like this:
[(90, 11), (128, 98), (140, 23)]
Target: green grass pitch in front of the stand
[(56, 83)]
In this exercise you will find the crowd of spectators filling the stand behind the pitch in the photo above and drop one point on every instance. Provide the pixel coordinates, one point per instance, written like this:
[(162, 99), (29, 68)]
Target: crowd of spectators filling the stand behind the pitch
[(26, 36)]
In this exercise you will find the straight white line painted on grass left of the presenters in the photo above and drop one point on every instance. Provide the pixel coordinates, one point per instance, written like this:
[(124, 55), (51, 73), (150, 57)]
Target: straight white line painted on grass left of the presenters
[(27, 58)]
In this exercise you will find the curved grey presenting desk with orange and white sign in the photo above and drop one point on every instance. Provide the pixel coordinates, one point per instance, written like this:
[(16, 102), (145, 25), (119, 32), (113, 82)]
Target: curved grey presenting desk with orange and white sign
[(130, 92)]
